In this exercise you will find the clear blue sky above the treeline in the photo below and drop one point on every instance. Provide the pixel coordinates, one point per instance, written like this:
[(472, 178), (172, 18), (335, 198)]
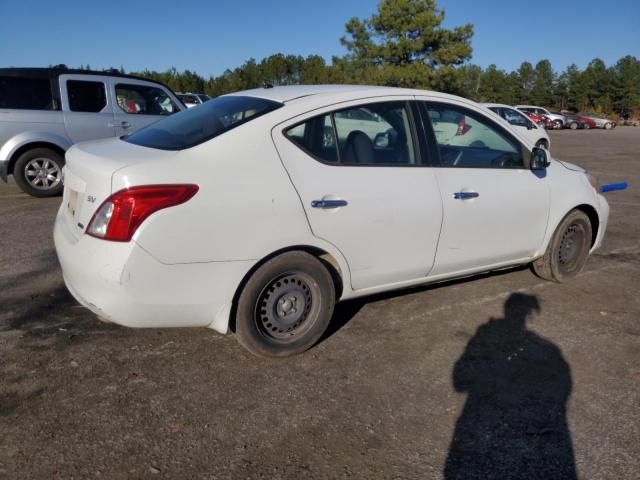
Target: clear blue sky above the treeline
[(210, 36)]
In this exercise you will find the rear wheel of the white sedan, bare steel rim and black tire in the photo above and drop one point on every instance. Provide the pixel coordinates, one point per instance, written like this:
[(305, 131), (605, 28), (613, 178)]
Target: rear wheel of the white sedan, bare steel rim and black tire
[(294, 285)]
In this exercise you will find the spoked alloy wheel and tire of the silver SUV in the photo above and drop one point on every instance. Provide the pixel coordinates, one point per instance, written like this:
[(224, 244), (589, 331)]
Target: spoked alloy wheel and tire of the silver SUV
[(38, 172)]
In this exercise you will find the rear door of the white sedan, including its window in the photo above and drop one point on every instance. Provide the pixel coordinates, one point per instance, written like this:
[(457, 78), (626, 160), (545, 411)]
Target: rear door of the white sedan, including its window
[(359, 175)]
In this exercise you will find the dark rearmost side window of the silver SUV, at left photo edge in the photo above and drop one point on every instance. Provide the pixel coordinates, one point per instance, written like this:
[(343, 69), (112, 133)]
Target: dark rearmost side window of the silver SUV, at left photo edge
[(26, 93)]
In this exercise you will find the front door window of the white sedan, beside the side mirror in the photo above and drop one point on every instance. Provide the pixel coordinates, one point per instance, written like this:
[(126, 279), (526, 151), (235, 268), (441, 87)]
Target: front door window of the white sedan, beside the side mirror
[(467, 139)]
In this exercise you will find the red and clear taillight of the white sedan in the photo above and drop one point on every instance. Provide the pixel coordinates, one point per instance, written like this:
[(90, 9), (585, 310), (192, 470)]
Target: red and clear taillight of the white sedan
[(120, 215)]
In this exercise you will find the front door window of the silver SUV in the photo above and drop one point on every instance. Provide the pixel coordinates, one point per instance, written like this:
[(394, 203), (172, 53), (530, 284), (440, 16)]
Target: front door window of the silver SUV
[(144, 100)]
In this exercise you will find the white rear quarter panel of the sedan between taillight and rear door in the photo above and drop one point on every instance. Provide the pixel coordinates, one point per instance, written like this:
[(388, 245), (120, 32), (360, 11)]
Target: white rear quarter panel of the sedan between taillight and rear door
[(246, 207)]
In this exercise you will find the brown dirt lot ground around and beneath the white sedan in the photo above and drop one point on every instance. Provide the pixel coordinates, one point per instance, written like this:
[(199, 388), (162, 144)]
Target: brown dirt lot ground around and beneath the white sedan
[(419, 384)]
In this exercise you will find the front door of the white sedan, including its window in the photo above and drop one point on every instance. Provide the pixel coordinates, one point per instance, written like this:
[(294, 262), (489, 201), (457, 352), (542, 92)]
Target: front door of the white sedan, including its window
[(495, 209)]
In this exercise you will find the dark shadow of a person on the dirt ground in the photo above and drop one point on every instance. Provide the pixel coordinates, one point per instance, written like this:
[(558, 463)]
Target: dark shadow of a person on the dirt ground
[(514, 423)]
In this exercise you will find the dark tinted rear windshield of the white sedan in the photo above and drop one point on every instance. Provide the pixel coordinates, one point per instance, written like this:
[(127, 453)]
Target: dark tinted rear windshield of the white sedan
[(197, 125)]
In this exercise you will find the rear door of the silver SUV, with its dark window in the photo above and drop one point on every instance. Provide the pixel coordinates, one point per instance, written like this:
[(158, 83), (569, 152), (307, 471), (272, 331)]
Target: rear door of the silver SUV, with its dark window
[(87, 107)]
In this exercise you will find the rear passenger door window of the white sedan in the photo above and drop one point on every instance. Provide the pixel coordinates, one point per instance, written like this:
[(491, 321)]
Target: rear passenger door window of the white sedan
[(374, 134)]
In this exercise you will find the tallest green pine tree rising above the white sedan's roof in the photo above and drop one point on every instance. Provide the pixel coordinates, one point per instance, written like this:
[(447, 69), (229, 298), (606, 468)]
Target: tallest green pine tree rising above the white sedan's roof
[(404, 44)]
